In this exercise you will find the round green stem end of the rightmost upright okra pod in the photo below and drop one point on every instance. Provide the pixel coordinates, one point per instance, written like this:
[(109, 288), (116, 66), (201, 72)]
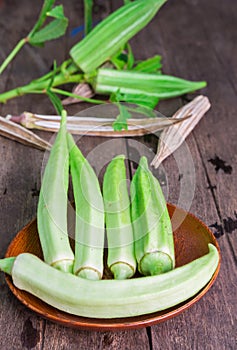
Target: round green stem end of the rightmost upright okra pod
[(155, 263)]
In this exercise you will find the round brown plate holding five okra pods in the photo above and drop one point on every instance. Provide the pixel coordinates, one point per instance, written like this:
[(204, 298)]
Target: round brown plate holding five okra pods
[(191, 241)]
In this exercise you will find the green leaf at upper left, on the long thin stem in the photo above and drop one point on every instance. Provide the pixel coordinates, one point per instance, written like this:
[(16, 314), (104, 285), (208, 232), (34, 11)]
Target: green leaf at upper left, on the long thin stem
[(53, 30)]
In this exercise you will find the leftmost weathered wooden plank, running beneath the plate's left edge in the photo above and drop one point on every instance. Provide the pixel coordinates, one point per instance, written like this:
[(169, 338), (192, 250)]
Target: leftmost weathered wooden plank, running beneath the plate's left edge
[(19, 178)]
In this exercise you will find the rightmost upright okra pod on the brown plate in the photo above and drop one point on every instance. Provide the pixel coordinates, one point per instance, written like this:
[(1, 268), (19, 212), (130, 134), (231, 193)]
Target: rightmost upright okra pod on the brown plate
[(154, 244)]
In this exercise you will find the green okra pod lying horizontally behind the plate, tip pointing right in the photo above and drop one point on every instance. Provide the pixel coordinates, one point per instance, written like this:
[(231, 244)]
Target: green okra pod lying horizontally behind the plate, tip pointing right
[(137, 83)]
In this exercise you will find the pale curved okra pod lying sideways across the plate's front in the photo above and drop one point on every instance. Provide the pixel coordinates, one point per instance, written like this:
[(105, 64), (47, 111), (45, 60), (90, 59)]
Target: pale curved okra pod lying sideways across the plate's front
[(110, 298)]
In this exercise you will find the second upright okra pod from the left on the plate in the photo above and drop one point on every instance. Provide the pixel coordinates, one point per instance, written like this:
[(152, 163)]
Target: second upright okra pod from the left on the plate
[(89, 230)]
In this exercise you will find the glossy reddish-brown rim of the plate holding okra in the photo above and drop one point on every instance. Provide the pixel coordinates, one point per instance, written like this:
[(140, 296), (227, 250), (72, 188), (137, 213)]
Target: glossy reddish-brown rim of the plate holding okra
[(134, 322)]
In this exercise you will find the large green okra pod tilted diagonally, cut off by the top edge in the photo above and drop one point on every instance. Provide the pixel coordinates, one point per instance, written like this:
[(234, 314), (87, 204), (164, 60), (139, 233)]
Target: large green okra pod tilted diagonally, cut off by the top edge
[(113, 32)]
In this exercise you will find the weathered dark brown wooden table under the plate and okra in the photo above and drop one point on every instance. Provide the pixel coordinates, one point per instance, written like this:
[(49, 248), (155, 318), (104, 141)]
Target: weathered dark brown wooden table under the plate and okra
[(197, 40)]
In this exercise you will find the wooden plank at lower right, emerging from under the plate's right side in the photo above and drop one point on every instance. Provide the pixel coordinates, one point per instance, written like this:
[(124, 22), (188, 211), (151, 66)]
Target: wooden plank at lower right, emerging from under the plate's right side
[(200, 326)]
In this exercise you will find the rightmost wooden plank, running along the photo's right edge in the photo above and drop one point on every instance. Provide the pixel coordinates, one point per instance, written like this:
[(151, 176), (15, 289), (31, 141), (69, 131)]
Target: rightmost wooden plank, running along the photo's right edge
[(220, 162)]
